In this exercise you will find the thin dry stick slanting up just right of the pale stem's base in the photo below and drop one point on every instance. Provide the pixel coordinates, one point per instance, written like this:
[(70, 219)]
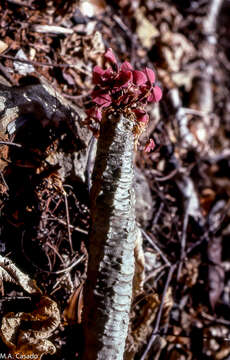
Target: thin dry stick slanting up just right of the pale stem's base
[(159, 314)]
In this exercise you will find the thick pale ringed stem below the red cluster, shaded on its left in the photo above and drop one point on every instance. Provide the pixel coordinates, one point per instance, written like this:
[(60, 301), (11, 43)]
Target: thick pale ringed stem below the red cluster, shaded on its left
[(108, 290)]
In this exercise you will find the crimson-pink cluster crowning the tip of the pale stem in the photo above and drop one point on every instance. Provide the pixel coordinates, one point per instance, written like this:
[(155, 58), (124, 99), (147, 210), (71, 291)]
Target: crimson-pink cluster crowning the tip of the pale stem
[(123, 87)]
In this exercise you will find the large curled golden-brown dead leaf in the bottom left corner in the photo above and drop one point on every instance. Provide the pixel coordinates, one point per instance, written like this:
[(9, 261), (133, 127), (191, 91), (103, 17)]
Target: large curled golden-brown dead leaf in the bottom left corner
[(27, 333)]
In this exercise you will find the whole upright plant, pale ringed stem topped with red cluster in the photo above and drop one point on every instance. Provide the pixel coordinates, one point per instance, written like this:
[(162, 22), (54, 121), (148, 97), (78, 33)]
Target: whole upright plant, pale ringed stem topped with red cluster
[(119, 98)]
